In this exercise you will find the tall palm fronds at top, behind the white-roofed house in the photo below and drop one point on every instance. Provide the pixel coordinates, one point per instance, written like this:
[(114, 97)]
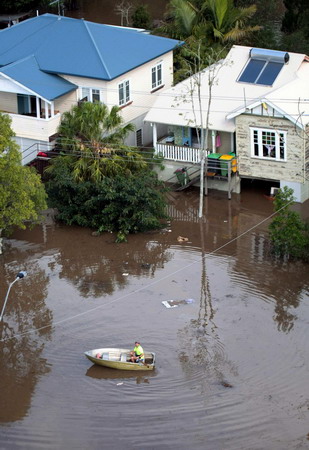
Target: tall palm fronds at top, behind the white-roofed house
[(205, 26)]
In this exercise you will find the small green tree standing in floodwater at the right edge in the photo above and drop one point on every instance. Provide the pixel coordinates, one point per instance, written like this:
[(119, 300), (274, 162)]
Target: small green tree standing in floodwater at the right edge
[(289, 235)]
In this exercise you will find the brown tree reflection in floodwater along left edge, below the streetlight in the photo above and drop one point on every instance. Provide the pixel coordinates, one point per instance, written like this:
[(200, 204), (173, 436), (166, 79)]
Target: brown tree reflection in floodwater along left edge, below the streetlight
[(20, 356)]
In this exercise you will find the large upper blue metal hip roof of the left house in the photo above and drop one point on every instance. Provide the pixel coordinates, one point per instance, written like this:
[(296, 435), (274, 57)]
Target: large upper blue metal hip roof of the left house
[(77, 47)]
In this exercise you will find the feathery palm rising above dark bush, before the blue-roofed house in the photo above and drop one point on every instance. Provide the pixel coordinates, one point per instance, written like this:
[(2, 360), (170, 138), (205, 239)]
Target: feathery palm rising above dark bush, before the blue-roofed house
[(91, 142)]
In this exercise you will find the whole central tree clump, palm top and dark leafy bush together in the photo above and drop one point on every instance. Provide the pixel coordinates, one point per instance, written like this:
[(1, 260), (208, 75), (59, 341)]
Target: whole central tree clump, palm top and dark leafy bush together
[(100, 183)]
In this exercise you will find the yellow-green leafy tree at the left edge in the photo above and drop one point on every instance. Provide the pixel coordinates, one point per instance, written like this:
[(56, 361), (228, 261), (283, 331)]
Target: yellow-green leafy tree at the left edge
[(22, 194)]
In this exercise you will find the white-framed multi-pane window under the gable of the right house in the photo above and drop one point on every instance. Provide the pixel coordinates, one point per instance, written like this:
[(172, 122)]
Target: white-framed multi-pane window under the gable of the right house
[(268, 144)]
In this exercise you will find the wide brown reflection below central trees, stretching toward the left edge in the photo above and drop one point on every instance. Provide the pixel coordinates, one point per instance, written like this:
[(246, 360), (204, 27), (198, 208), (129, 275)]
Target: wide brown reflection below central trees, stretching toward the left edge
[(95, 265)]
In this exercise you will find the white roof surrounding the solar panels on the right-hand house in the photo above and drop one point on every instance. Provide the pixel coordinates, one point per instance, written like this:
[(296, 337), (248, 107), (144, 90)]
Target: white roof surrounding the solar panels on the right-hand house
[(174, 106)]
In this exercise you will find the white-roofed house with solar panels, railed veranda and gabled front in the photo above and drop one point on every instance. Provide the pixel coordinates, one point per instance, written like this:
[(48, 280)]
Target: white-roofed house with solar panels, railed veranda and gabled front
[(259, 110)]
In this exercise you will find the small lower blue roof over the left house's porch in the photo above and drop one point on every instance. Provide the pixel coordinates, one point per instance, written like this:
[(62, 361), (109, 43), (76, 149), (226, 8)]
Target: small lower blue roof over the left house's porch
[(28, 74)]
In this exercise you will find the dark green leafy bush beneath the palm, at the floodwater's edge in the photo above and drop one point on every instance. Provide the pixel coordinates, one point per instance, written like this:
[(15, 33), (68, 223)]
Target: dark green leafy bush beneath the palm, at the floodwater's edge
[(122, 204)]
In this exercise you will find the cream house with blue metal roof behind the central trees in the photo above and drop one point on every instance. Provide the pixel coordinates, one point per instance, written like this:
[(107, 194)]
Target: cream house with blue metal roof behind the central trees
[(49, 63)]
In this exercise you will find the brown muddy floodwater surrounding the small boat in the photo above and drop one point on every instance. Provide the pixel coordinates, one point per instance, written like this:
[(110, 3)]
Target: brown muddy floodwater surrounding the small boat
[(232, 367)]
